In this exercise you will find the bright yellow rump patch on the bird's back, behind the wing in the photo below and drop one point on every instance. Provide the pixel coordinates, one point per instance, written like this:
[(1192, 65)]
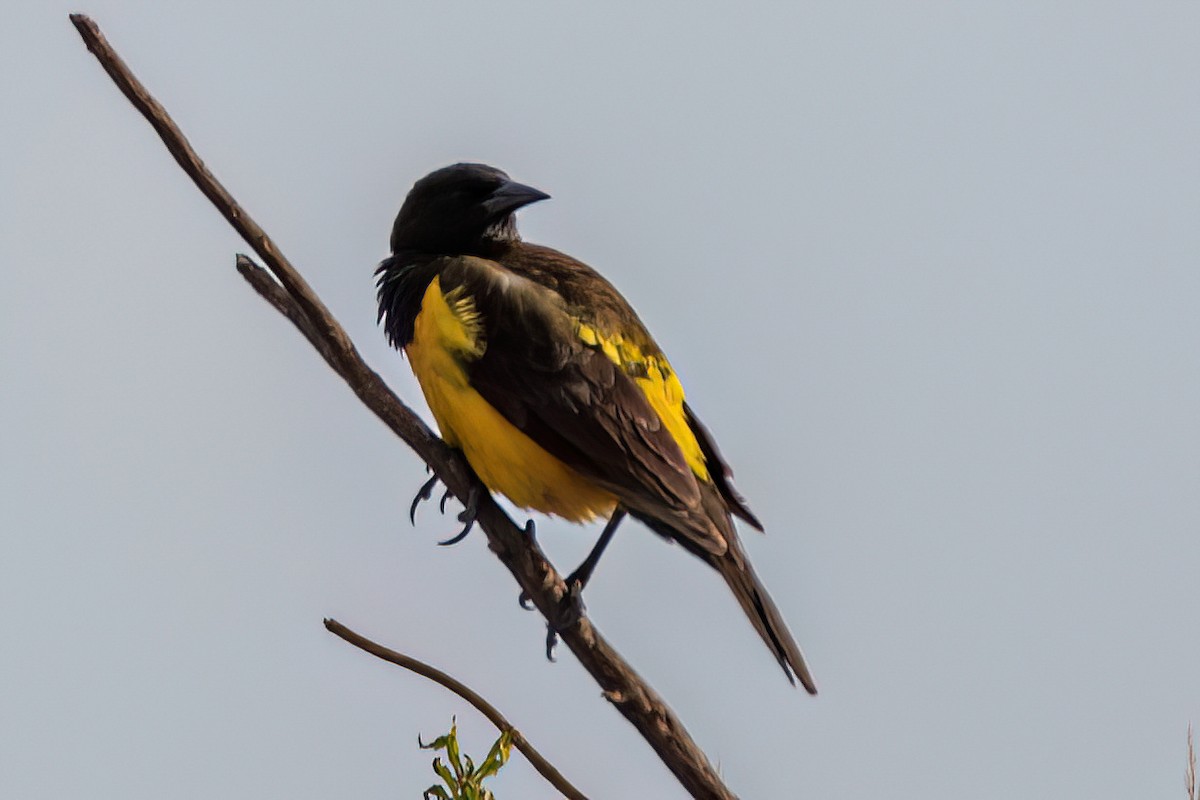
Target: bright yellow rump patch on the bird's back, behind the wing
[(658, 382)]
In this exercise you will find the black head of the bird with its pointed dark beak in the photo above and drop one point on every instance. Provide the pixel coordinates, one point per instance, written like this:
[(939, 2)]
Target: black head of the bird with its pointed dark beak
[(461, 209)]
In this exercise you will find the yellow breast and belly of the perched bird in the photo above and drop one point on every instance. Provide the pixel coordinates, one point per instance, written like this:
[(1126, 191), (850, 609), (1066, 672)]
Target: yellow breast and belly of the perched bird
[(509, 462)]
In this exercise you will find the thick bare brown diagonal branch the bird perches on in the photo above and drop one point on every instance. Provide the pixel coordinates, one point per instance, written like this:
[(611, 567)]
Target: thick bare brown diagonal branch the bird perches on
[(287, 292)]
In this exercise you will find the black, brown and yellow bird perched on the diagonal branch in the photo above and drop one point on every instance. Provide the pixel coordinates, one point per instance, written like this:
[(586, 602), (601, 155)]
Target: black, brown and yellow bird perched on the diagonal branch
[(542, 374)]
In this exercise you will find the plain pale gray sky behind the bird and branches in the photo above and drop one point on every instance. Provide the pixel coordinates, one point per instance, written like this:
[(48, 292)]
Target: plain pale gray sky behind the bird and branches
[(929, 273)]
